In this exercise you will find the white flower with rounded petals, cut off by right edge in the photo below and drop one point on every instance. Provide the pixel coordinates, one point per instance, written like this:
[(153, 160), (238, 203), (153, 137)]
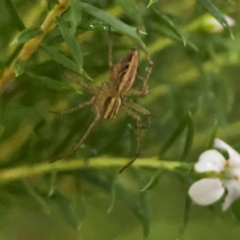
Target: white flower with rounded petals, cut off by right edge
[(209, 190)]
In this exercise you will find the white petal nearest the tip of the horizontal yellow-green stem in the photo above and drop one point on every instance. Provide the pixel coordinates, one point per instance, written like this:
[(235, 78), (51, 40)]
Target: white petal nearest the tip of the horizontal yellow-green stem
[(210, 160)]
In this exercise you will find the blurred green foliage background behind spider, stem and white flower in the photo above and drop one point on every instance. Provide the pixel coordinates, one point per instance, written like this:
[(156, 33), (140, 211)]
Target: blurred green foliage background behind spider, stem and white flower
[(193, 96)]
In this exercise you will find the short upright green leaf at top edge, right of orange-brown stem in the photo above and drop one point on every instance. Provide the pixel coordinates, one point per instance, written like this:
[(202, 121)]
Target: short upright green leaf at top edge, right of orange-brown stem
[(75, 14)]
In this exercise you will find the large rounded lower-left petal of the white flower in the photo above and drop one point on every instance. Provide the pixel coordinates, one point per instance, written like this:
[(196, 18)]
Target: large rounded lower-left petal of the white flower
[(206, 191)]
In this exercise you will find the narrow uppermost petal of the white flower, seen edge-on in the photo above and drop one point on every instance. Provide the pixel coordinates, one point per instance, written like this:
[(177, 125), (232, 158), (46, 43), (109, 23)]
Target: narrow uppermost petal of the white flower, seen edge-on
[(234, 156)]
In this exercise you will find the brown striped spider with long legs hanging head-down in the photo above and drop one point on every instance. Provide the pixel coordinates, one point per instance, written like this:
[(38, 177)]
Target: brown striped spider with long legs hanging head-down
[(108, 98)]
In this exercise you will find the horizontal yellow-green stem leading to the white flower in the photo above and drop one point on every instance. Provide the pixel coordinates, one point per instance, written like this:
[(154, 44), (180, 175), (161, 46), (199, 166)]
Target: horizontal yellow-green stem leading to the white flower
[(12, 174)]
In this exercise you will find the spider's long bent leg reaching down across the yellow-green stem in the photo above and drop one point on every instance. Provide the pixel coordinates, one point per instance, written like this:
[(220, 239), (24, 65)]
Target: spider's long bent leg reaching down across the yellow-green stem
[(139, 125)]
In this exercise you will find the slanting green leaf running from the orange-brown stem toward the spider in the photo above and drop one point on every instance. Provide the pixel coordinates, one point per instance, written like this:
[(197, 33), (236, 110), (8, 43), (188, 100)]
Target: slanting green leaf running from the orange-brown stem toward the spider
[(71, 42)]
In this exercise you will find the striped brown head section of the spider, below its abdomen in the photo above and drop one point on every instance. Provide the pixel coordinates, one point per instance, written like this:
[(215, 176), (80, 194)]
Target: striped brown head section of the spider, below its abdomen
[(110, 107)]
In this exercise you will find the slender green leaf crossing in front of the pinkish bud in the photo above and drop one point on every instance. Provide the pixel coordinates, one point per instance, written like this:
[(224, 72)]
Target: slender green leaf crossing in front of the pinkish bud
[(214, 11)]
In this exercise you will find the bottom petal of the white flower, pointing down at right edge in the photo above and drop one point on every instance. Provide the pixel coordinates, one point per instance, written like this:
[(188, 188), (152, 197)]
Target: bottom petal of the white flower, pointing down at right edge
[(233, 187)]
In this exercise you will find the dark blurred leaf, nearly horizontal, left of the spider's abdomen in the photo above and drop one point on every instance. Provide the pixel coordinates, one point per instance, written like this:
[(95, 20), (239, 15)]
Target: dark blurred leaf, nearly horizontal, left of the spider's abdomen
[(49, 82)]
